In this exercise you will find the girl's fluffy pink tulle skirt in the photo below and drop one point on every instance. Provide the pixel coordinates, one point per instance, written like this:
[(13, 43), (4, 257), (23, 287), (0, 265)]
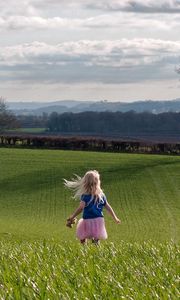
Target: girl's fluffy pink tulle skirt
[(91, 228)]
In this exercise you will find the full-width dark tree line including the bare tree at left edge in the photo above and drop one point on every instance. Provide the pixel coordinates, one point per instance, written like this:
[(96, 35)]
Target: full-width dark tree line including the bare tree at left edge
[(97, 123)]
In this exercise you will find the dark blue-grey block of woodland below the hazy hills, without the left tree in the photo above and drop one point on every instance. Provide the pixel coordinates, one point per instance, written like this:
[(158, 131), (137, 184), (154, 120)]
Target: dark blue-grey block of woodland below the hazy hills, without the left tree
[(114, 122)]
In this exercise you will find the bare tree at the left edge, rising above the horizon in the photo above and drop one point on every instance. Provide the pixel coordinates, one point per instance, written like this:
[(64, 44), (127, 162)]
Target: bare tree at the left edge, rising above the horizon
[(7, 119)]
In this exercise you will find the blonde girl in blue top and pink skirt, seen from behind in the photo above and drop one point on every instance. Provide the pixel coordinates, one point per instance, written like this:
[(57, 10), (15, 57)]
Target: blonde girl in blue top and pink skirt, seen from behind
[(88, 189)]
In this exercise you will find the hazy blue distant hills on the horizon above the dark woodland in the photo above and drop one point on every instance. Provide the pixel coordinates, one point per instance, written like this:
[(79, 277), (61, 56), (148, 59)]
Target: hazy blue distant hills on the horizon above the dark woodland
[(38, 108)]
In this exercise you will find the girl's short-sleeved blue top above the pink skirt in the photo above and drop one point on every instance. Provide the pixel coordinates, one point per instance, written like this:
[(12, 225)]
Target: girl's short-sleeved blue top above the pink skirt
[(93, 209)]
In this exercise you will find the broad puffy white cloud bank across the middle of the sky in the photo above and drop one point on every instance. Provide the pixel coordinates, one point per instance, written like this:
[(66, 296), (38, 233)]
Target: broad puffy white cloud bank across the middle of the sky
[(114, 53)]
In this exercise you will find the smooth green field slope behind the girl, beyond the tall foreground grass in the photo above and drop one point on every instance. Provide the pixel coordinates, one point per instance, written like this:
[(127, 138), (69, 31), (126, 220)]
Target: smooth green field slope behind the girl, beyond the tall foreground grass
[(144, 191)]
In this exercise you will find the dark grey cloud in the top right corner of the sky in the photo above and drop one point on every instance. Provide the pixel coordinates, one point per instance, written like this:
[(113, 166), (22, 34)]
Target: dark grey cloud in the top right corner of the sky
[(138, 6)]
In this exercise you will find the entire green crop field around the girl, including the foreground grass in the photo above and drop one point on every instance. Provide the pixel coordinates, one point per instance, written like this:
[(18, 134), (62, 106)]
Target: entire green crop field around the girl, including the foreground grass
[(41, 259)]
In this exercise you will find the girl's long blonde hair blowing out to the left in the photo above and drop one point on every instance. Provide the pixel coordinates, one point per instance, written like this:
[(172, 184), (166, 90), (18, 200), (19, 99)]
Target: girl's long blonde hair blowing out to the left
[(88, 184)]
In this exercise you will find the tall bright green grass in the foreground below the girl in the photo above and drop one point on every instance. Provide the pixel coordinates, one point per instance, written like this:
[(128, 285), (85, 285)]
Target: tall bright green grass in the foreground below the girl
[(49, 270)]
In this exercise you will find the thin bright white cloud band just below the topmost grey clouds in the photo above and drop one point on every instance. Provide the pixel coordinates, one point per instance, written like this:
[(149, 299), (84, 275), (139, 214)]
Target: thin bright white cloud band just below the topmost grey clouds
[(100, 21)]
